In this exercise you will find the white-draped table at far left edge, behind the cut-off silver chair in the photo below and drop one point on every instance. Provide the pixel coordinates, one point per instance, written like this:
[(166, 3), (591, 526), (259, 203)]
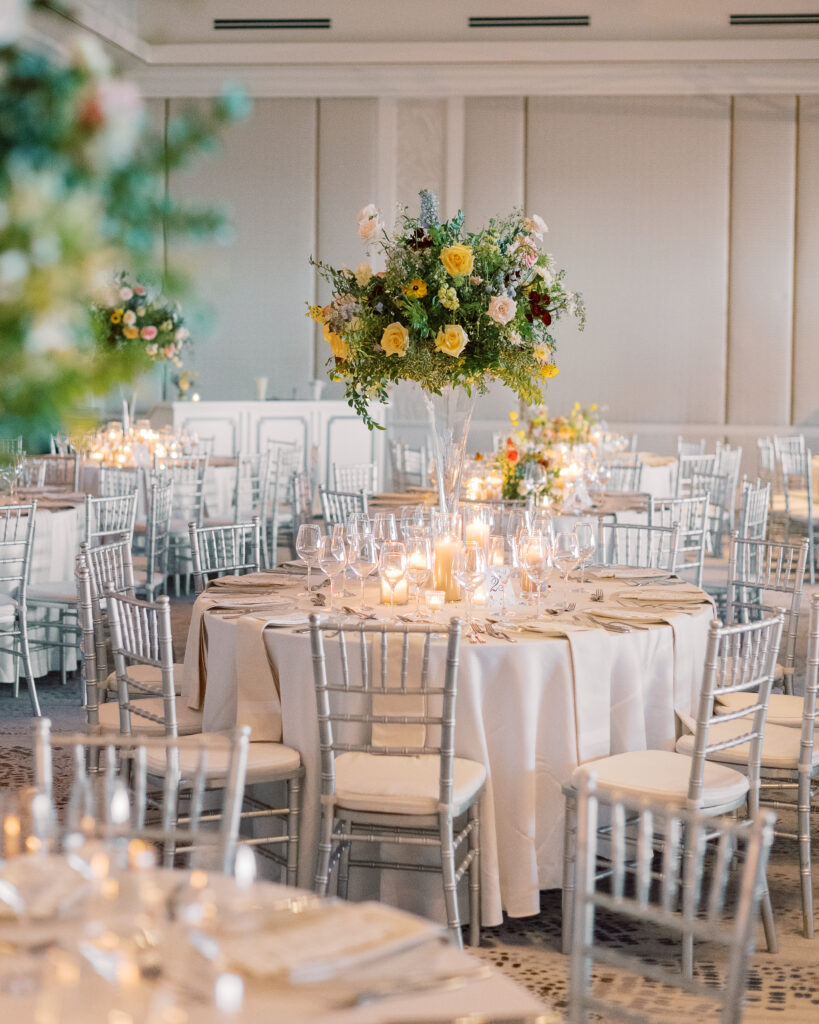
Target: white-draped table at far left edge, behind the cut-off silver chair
[(57, 541)]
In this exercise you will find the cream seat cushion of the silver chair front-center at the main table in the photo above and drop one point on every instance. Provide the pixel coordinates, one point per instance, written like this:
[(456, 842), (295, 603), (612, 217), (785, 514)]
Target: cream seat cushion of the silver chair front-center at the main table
[(395, 785)]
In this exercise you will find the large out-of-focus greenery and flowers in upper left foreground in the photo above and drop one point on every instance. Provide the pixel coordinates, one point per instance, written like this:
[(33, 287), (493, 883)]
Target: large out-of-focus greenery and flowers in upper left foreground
[(82, 197)]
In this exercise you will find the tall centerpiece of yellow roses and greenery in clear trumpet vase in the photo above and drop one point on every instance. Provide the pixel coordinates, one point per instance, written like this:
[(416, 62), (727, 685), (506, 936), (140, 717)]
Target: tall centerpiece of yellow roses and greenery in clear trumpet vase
[(453, 311)]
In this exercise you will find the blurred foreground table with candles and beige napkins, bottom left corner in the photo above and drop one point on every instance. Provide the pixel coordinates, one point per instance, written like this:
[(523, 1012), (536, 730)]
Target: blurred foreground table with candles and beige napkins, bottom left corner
[(112, 954)]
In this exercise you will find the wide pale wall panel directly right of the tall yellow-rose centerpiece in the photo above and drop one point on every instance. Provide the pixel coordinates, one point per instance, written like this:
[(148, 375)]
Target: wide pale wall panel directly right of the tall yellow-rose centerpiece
[(635, 191)]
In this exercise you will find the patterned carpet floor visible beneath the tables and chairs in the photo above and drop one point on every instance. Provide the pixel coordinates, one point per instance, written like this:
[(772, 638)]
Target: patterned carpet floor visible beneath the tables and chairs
[(783, 987)]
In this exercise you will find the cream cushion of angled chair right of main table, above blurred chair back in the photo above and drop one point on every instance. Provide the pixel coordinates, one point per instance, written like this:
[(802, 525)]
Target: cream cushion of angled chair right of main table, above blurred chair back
[(664, 776)]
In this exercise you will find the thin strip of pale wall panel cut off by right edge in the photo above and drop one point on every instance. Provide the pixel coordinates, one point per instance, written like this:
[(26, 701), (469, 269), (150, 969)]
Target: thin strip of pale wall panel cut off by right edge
[(806, 368)]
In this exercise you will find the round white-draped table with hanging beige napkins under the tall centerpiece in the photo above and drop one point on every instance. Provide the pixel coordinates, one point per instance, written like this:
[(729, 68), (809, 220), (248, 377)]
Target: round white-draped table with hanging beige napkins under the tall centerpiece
[(530, 711)]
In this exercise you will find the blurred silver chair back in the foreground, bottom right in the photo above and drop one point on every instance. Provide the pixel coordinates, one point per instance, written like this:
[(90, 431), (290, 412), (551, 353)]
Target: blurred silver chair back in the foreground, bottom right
[(689, 903)]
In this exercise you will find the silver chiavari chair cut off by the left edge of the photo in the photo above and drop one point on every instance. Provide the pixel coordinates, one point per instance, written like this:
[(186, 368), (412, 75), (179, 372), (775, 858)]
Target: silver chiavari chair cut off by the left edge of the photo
[(17, 538)]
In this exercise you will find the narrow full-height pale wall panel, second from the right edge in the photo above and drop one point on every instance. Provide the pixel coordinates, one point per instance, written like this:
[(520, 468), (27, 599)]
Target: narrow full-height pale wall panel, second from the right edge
[(762, 260)]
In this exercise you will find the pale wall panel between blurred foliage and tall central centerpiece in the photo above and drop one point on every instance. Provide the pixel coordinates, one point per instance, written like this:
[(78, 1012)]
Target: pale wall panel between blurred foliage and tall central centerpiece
[(256, 284)]
